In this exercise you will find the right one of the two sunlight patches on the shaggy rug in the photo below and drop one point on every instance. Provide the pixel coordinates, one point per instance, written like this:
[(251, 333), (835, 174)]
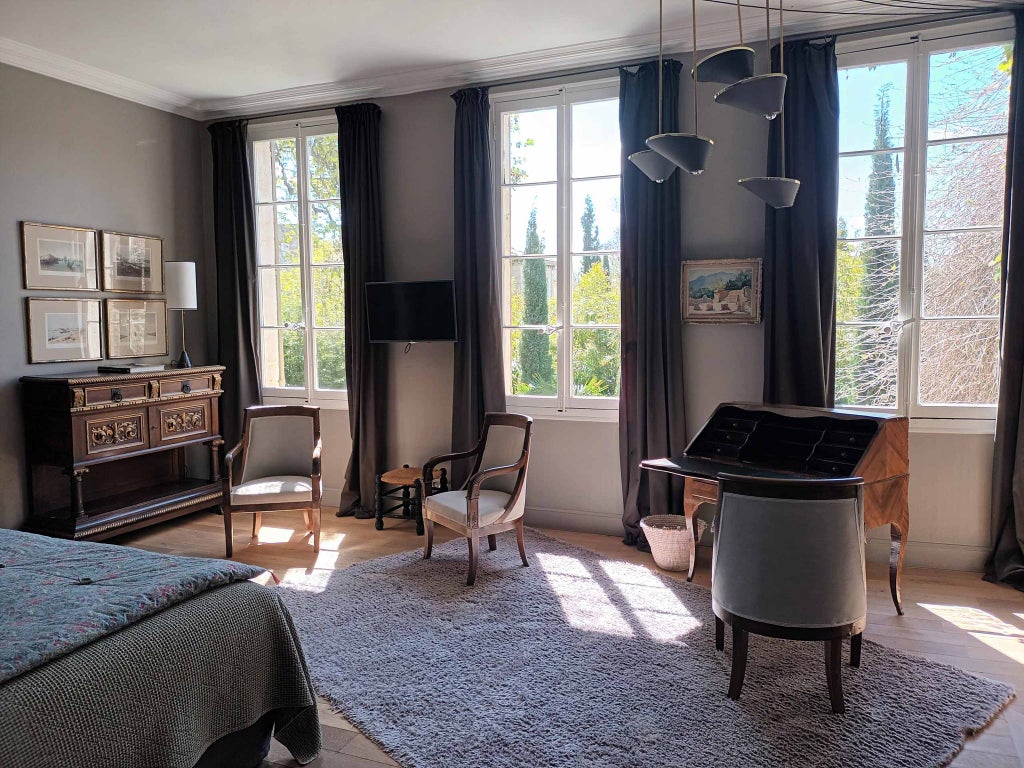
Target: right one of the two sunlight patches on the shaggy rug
[(658, 609)]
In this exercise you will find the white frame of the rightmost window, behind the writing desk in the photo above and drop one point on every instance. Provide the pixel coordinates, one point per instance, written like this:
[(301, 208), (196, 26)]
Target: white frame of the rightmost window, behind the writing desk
[(916, 50)]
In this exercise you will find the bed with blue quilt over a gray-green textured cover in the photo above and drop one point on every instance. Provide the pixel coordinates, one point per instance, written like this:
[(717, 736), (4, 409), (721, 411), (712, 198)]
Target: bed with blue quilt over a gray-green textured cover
[(115, 657)]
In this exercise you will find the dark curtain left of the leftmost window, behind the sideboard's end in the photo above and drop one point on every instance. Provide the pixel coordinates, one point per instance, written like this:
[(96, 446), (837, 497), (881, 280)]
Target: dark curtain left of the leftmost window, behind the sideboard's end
[(235, 240)]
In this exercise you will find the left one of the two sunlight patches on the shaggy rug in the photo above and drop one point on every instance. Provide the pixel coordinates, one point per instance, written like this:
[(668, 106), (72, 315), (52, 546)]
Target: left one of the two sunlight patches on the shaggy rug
[(585, 605)]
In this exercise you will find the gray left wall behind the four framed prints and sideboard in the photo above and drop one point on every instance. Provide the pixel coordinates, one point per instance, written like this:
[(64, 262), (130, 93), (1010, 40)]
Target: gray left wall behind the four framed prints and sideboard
[(71, 156)]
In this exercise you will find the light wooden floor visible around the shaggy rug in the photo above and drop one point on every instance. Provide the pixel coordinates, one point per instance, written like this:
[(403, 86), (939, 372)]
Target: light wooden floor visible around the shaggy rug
[(952, 617)]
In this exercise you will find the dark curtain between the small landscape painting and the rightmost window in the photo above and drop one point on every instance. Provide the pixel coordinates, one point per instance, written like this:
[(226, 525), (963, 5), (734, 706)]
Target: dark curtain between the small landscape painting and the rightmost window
[(800, 242)]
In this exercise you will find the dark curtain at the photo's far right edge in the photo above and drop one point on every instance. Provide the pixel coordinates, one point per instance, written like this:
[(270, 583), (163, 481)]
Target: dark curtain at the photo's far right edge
[(1006, 562)]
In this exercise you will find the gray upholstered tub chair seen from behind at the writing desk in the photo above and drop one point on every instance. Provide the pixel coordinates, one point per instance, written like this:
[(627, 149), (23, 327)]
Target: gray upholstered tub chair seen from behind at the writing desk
[(789, 563)]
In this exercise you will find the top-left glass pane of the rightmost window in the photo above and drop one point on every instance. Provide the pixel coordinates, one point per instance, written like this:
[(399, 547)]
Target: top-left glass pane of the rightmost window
[(883, 87)]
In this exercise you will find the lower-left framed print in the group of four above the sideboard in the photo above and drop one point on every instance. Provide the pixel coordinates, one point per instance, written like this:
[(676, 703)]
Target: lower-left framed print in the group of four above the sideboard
[(64, 330)]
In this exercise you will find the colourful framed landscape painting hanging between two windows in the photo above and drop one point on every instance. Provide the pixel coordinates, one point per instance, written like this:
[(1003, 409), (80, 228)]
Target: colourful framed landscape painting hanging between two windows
[(721, 291)]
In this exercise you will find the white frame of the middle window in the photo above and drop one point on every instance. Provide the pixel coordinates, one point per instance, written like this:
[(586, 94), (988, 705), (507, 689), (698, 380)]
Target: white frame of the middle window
[(565, 405)]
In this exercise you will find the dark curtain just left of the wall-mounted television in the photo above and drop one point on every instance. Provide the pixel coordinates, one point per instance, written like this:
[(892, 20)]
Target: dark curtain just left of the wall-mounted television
[(363, 244)]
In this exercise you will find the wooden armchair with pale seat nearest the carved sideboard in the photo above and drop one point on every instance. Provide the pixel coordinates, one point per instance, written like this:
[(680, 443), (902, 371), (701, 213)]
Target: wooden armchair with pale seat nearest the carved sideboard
[(275, 467)]
